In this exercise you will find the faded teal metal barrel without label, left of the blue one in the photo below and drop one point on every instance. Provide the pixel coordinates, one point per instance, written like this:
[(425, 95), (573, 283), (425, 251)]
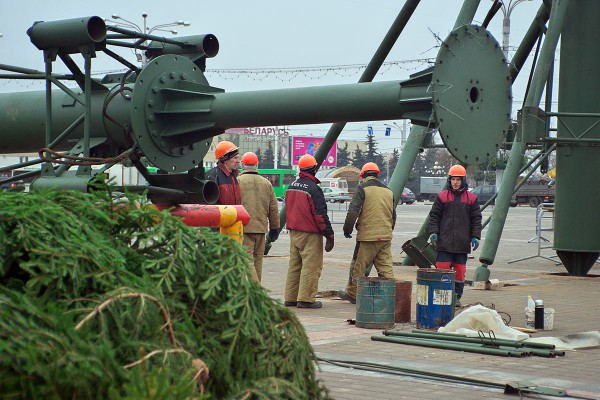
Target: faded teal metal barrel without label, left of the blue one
[(375, 303)]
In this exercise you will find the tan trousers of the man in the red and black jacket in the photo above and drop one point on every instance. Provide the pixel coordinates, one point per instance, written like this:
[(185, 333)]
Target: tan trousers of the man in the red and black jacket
[(306, 263)]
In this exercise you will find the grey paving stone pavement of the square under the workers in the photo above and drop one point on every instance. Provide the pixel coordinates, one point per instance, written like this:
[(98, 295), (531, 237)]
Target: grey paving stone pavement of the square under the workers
[(574, 299)]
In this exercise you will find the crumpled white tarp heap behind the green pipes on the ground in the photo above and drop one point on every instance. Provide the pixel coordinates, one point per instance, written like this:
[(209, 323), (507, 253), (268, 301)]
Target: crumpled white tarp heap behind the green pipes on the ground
[(479, 318)]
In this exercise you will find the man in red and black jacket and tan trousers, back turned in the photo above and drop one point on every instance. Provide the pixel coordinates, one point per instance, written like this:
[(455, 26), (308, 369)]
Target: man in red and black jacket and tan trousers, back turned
[(307, 222)]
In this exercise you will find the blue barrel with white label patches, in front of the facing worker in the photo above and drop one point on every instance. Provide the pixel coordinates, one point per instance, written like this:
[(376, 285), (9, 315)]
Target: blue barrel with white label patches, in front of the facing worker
[(435, 297)]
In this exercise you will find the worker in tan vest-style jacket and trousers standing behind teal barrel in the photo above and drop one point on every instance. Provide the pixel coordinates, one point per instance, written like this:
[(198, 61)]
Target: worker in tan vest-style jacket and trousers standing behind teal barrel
[(372, 209)]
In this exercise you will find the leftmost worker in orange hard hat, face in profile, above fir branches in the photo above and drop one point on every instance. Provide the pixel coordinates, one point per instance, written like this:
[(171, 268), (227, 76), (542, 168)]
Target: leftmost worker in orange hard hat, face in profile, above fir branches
[(225, 173)]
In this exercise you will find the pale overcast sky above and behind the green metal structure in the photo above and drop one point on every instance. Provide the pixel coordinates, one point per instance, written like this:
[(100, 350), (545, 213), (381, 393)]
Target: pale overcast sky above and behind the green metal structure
[(272, 34)]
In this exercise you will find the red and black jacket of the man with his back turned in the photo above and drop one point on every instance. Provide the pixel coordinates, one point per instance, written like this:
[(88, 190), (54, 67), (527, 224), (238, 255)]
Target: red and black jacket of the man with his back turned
[(306, 208)]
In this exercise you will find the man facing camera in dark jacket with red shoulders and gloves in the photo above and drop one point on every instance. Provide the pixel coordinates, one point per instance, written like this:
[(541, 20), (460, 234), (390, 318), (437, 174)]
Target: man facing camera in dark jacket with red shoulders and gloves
[(455, 226)]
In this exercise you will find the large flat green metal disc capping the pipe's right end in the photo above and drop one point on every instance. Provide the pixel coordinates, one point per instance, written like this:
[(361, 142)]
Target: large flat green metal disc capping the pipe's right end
[(471, 94)]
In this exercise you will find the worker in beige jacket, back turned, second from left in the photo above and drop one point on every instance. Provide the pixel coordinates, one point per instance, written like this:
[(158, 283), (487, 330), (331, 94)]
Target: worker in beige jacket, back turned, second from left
[(258, 198)]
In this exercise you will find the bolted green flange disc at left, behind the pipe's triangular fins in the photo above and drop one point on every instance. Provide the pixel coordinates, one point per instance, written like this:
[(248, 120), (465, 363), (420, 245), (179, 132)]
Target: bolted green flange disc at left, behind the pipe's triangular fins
[(159, 82)]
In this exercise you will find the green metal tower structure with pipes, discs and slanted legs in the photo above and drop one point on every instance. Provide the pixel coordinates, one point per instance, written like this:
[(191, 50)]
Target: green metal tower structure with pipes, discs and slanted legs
[(167, 112)]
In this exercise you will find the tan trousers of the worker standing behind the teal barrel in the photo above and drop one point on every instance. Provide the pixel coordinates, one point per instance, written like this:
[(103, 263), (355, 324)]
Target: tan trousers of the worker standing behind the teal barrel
[(380, 254)]
